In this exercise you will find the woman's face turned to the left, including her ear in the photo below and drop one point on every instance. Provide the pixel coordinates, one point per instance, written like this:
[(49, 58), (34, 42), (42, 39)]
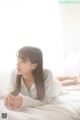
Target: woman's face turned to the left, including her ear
[(25, 67)]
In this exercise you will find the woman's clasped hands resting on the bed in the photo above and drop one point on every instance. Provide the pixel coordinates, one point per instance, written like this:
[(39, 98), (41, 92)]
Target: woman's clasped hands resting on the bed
[(13, 102)]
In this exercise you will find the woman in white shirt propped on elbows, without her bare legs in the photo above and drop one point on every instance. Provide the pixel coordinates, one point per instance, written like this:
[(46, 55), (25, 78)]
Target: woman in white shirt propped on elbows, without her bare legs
[(30, 84)]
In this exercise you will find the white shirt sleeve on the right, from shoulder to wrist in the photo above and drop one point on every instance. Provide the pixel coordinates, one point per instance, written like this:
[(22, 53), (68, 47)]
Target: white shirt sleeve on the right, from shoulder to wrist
[(53, 89)]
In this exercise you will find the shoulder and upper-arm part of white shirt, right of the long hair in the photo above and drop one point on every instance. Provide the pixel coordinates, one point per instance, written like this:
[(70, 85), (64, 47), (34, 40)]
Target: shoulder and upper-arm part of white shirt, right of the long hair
[(53, 86)]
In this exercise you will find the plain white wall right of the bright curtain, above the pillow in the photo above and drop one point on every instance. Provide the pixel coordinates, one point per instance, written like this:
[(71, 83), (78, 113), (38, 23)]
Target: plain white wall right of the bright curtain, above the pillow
[(70, 15)]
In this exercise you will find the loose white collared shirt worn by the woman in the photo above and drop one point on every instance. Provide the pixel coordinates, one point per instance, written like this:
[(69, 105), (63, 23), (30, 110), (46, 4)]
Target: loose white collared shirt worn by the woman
[(53, 88)]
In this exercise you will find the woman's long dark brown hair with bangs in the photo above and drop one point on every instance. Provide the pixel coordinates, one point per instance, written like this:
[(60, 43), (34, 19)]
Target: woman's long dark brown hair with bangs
[(34, 54)]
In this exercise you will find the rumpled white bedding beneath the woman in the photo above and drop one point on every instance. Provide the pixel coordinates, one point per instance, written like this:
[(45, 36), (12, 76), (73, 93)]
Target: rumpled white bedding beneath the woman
[(65, 107)]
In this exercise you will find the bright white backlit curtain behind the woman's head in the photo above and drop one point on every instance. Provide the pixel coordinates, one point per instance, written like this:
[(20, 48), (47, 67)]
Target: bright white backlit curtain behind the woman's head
[(31, 22)]
